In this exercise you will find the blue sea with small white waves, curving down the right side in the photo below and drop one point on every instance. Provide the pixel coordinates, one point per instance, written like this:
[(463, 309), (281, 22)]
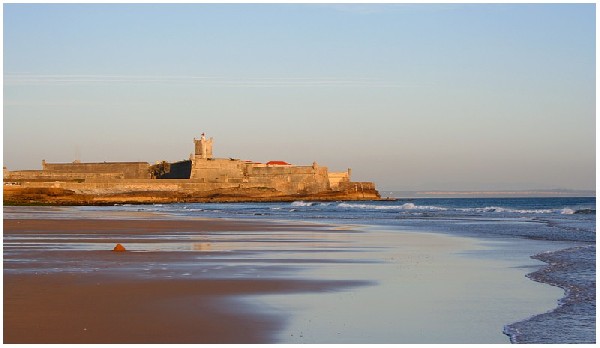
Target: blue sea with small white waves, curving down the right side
[(567, 224)]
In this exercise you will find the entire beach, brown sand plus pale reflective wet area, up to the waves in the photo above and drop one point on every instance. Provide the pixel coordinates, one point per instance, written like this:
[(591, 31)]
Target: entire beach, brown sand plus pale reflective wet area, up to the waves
[(225, 281)]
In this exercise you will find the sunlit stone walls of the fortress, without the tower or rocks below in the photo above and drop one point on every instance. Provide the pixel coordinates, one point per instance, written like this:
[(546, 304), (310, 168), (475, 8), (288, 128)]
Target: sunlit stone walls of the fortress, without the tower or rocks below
[(205, 174)]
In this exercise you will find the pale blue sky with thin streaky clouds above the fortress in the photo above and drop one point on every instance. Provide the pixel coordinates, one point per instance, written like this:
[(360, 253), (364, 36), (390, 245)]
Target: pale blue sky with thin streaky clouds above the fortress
[(410, 96)]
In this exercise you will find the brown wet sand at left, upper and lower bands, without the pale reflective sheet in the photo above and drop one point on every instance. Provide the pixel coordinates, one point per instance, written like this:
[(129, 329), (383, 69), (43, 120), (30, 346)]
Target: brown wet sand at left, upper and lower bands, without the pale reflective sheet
[(63, 284)]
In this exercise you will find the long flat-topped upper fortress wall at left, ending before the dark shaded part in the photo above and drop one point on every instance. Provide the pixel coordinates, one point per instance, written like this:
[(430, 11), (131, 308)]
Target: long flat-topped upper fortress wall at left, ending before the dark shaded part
[(130, 170)]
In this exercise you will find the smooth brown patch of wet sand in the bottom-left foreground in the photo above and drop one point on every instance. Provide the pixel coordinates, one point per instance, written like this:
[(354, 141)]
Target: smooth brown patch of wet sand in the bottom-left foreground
[(80, 308)]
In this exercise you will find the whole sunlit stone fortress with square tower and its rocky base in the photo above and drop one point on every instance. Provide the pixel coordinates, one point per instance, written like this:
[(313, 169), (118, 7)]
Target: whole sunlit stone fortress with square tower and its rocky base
[(202, 178)]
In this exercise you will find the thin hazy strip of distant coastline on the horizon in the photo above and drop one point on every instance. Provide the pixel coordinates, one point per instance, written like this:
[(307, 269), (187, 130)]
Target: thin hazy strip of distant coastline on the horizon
[(487, 194)]
